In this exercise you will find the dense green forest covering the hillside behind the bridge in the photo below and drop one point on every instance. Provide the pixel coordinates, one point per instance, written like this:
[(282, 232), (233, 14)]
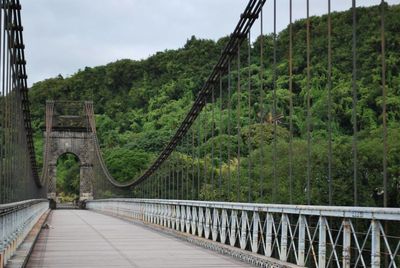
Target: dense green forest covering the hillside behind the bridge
[(139, 105)]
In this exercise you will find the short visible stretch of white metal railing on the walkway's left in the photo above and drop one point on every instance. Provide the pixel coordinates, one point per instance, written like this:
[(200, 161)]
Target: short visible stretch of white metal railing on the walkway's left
[(16, 220)]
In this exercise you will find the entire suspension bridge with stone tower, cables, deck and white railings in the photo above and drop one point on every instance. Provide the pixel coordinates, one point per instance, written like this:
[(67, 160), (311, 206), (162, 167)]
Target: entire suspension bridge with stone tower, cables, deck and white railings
[(202, 202)]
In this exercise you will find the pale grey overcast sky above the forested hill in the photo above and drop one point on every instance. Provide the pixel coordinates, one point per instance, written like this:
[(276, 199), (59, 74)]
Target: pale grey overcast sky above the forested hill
[(62, 36)]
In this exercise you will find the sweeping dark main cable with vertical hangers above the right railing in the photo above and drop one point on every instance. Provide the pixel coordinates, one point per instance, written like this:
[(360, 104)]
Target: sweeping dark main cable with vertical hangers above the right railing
[(268, 125)]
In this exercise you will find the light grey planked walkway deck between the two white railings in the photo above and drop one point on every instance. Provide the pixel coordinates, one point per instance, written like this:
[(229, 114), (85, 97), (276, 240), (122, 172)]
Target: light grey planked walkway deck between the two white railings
[(81, 238)]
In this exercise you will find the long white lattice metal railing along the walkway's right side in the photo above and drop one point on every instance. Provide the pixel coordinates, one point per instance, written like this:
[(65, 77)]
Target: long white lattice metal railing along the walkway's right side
[(312, 236)]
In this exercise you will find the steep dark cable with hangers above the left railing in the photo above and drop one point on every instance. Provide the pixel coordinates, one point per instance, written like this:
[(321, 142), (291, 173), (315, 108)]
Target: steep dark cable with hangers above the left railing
[(18, 168)]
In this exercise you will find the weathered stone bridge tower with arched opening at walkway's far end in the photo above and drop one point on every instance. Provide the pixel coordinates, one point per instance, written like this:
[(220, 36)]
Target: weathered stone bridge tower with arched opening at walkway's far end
[(68, 130)]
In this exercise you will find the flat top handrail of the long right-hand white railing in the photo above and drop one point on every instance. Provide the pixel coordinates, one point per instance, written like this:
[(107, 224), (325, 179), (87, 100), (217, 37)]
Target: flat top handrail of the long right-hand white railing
[(378, 213)]
